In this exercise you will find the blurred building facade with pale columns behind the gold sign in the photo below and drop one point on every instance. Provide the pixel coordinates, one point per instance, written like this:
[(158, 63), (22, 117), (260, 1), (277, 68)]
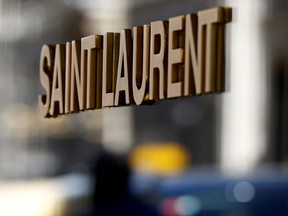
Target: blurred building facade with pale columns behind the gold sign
[(243, 127)]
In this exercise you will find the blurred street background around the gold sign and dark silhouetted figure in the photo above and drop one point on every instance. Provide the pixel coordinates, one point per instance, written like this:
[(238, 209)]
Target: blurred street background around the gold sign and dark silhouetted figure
[(218, 154)]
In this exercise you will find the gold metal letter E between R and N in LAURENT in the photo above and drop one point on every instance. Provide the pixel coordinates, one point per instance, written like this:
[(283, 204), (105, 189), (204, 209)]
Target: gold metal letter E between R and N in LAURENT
[(175, 57)]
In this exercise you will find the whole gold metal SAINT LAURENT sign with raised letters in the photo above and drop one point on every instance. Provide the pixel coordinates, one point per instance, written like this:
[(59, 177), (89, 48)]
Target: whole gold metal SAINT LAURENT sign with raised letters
[(161, 60)]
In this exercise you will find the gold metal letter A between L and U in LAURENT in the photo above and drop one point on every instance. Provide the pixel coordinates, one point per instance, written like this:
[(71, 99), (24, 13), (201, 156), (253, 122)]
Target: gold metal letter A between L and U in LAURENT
[(123, 82)]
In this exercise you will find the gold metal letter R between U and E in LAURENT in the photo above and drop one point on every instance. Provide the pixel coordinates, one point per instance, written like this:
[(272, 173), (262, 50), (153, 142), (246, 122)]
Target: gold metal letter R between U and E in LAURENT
[(158, 84)]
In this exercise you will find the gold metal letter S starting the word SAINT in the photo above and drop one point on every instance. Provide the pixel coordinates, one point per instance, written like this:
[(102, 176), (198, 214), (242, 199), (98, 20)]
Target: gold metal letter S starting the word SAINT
[(46, 67)]
